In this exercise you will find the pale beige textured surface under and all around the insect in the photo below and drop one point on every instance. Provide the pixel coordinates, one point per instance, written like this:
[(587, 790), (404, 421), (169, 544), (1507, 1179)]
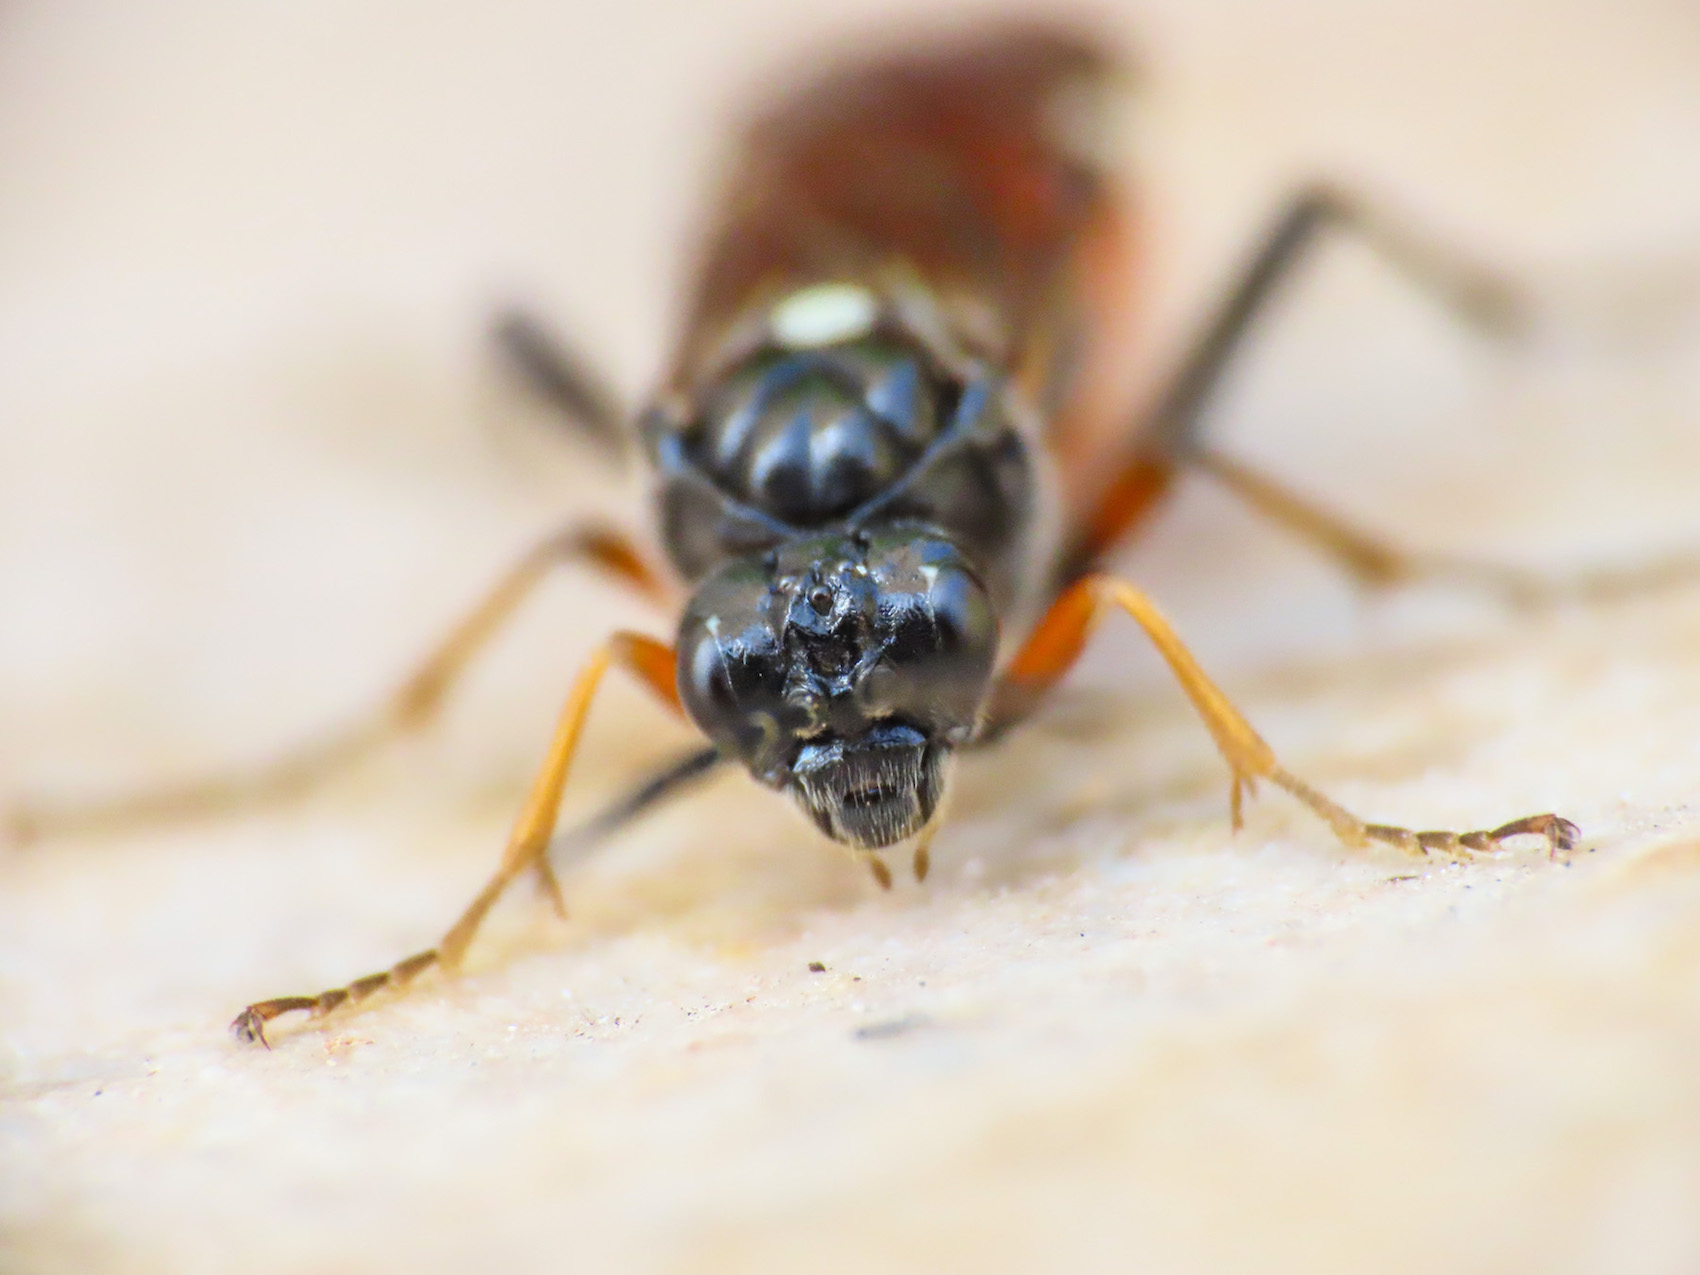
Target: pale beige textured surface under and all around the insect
[(252, 455)]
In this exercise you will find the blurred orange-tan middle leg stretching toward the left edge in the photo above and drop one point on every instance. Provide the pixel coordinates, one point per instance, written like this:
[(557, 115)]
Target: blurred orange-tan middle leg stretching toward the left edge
[(412, 706)]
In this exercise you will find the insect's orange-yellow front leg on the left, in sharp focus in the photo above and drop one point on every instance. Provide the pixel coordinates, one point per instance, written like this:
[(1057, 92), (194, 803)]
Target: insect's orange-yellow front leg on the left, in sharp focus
[(528, 846)]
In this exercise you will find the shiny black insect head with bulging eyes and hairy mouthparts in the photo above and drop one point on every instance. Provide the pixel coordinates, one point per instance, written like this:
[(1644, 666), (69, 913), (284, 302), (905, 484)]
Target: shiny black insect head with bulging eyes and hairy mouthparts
[(844, 669)]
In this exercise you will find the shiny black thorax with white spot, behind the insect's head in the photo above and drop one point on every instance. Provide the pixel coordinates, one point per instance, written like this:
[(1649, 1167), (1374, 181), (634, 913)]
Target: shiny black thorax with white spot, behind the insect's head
[(841, 417)]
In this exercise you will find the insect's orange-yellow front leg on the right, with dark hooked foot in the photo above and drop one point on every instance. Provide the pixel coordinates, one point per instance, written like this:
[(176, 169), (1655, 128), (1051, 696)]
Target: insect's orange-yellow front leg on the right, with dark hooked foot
[(1062, 637)]
